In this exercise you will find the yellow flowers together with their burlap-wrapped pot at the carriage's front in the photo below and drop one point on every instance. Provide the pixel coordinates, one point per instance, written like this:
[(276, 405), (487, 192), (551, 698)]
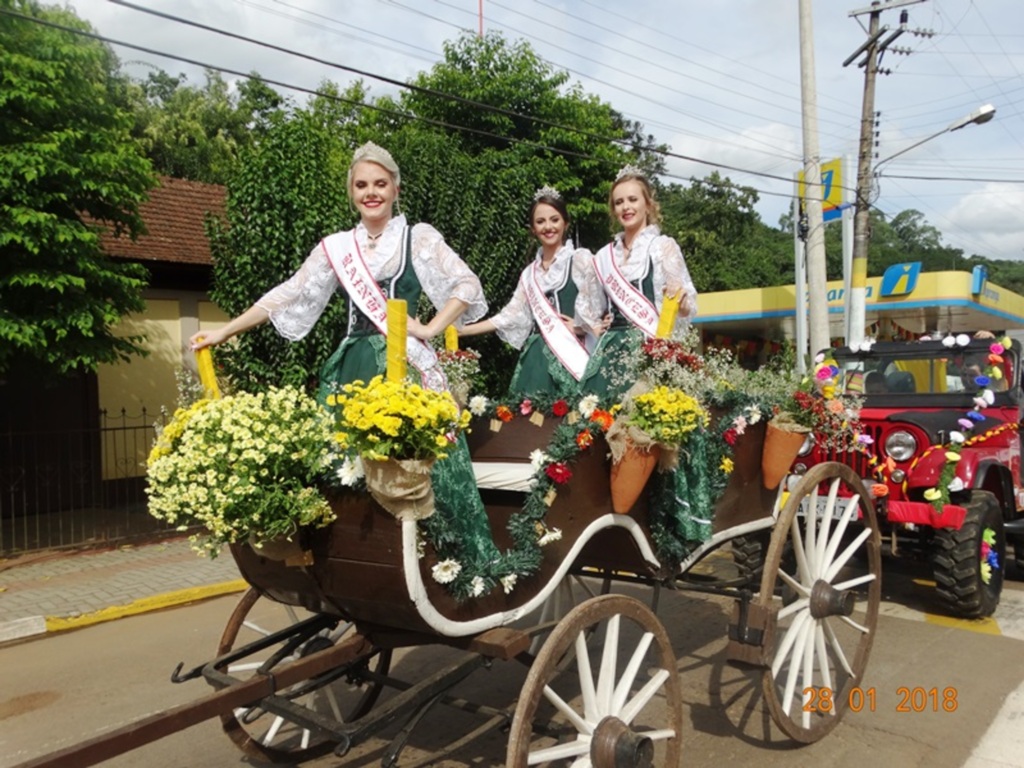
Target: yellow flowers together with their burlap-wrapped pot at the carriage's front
[(399, 430)]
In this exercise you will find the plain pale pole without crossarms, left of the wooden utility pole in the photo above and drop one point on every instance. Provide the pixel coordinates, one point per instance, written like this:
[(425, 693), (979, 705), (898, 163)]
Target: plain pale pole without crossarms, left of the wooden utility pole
[(818, 284)]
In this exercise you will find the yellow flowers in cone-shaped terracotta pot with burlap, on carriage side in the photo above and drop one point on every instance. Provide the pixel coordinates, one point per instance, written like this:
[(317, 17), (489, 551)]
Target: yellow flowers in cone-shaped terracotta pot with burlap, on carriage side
[(651, 429)]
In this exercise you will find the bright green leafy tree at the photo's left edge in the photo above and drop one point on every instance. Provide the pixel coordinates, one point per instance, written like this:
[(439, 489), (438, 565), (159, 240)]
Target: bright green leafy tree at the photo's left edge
[(69, 165)]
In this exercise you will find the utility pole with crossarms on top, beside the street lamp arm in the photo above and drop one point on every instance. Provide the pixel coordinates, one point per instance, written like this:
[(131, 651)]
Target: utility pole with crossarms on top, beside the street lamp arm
[(873, 49)]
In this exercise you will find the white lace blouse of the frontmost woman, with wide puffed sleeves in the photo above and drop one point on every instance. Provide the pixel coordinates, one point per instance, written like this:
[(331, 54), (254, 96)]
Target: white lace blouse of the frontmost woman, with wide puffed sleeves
[(297, 304)]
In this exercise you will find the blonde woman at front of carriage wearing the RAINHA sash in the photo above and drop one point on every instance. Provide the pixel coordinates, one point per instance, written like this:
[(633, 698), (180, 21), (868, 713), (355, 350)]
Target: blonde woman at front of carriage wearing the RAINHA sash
[(383, 258)]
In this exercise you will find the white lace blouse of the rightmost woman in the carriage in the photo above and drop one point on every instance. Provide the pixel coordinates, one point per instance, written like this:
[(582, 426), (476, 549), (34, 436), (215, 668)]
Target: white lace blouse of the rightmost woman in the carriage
[(670, 276)]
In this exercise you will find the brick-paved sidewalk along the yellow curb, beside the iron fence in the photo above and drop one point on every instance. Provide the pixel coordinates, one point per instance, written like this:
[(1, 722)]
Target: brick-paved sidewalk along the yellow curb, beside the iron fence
[(76, 585)]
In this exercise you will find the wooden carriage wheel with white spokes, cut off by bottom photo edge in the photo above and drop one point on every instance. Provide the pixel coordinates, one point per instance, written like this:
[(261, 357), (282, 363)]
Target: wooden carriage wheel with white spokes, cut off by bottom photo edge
[(614, 716)]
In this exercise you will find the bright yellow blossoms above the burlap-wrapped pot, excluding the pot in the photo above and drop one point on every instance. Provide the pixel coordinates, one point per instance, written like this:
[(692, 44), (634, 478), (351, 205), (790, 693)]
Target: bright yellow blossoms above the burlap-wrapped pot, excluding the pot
[(397, 420)]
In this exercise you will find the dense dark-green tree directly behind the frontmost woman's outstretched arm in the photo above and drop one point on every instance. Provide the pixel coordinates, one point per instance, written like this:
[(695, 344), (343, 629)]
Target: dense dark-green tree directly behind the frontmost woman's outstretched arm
[(287, 196)]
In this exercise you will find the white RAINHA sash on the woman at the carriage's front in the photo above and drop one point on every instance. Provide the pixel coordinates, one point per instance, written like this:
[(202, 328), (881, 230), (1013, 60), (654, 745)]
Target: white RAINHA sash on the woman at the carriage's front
[(344, 253)]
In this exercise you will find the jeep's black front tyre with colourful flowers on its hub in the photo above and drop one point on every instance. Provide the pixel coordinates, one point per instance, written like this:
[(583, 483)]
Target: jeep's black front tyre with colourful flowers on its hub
[(967, 581)]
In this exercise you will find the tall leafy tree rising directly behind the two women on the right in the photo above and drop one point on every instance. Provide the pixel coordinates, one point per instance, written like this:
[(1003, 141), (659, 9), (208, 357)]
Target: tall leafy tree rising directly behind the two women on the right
[(561, 135)]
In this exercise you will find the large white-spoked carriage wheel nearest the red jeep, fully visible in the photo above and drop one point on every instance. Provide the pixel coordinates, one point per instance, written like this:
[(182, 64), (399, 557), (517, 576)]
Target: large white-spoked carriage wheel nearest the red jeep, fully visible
[(823, 583)]
